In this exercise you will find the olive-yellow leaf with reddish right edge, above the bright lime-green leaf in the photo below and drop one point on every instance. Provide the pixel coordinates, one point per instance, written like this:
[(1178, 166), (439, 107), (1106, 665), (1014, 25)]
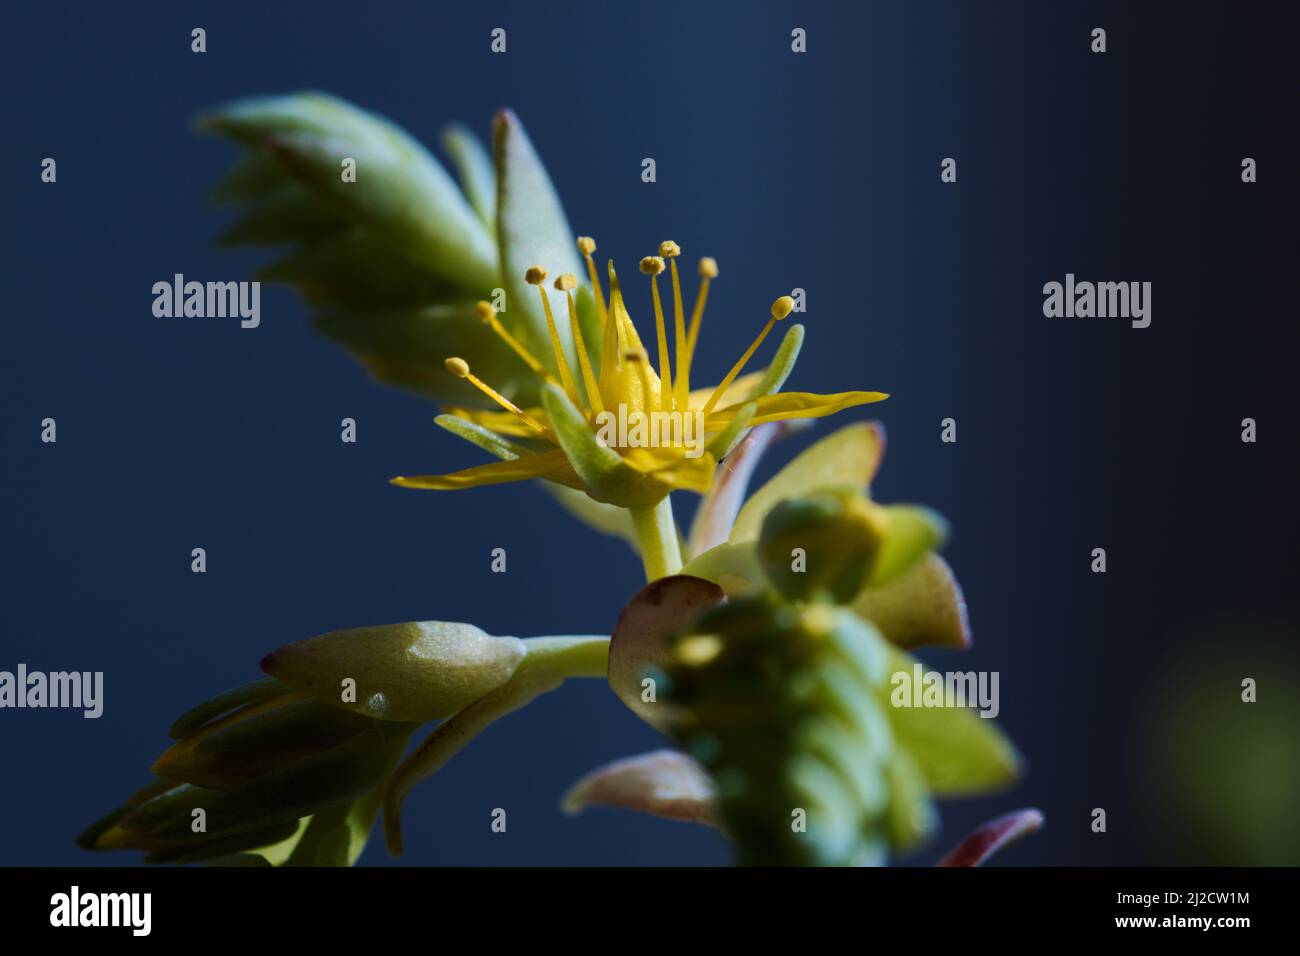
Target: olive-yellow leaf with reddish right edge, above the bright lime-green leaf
[(921, 607)]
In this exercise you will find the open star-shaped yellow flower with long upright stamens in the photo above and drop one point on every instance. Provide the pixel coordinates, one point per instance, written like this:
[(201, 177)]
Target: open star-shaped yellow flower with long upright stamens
[(627, 434)]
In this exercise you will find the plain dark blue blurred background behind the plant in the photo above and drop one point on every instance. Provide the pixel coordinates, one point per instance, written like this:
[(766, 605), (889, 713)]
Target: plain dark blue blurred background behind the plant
[(817, 171)]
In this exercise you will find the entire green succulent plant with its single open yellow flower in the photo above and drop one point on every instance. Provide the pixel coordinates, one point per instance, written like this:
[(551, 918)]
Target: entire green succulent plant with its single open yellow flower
[(765, 637)]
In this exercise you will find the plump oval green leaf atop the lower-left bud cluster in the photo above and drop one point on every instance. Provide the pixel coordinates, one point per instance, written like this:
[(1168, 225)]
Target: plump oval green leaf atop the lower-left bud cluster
[(413, 672)]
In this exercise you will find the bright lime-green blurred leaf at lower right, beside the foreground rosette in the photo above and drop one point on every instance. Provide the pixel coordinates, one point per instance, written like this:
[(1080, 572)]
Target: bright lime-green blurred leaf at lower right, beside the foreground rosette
[(960, 752)]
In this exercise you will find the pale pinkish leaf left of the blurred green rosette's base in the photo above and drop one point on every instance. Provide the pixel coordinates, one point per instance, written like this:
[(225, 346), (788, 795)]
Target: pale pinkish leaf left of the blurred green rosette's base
[(664, 784)]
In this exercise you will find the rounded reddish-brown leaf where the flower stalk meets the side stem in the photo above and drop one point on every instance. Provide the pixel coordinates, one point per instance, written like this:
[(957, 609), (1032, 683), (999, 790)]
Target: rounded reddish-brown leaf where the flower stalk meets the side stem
[(639, 646)]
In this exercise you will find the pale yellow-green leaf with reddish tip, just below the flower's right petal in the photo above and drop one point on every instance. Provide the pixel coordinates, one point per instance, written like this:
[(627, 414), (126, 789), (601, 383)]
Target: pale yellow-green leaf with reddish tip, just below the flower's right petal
[(848, 457)]
